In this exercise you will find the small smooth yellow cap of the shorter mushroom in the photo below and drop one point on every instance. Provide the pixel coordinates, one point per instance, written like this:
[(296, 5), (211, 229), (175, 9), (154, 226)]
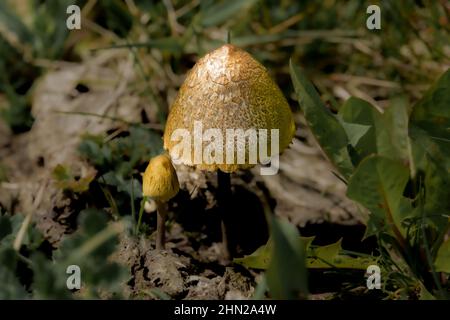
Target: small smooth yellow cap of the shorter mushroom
[(160, 181)]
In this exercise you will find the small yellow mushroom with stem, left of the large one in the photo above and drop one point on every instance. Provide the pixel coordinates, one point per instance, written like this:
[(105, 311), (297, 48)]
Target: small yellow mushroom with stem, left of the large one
[(160, 183)]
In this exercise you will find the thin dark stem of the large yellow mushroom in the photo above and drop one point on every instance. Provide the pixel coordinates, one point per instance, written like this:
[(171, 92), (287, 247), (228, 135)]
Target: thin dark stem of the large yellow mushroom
[(223, 198)]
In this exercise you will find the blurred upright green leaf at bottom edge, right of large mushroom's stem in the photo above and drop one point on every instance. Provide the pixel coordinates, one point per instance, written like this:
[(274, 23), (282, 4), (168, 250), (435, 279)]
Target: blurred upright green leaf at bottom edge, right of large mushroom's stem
[(286, 275)]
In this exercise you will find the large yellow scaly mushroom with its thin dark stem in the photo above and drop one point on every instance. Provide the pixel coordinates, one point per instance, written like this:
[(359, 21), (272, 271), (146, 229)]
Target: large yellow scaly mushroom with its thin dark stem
[(226, 89)]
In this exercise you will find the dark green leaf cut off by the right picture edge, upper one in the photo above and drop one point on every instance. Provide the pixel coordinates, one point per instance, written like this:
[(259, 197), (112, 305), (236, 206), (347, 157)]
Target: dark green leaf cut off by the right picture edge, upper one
[(430, 135)]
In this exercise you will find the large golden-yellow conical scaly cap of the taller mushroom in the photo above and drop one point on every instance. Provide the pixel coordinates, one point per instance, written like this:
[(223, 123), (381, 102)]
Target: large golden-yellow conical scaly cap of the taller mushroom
[(228, 89)]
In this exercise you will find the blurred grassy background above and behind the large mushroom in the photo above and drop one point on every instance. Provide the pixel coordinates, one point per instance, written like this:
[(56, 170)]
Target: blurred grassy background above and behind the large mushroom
[(329, 39)]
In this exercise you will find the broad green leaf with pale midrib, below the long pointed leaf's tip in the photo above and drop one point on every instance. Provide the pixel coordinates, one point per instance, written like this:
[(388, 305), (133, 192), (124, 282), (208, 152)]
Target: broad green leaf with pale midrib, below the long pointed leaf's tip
[(378, 184)]
